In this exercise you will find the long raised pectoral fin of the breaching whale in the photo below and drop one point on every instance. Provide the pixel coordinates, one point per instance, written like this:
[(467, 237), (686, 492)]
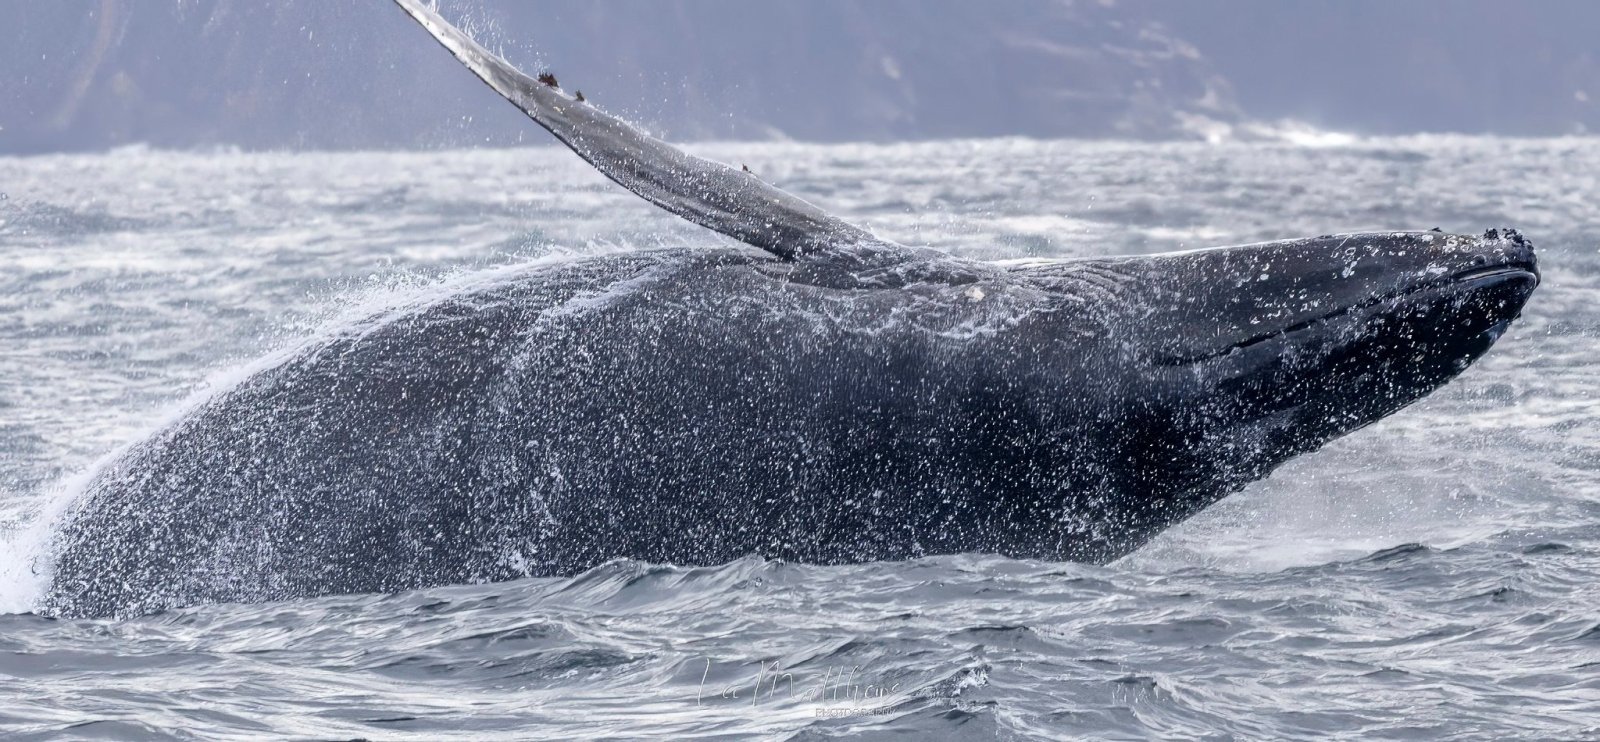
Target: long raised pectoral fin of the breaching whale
[(705, 193)]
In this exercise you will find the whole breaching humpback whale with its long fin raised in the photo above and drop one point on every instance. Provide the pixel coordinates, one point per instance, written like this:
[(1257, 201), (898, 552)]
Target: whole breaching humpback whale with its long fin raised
[(820, 396)]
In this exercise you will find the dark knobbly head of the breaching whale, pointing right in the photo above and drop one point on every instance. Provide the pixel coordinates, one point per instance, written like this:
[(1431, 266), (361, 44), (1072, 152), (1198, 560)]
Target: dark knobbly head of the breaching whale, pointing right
[(1228, 362)]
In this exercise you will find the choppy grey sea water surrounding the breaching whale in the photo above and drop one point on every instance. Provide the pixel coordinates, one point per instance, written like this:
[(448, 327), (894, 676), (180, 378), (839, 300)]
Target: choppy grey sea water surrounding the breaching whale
[(1436, 576)]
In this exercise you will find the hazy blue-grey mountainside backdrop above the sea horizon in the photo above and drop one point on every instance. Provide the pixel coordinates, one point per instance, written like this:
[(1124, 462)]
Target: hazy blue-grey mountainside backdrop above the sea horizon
[(359, 74)]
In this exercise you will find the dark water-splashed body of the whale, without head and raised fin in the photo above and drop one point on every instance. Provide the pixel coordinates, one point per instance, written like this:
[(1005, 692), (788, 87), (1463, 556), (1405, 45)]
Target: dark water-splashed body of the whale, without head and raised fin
[(682, 407)]
